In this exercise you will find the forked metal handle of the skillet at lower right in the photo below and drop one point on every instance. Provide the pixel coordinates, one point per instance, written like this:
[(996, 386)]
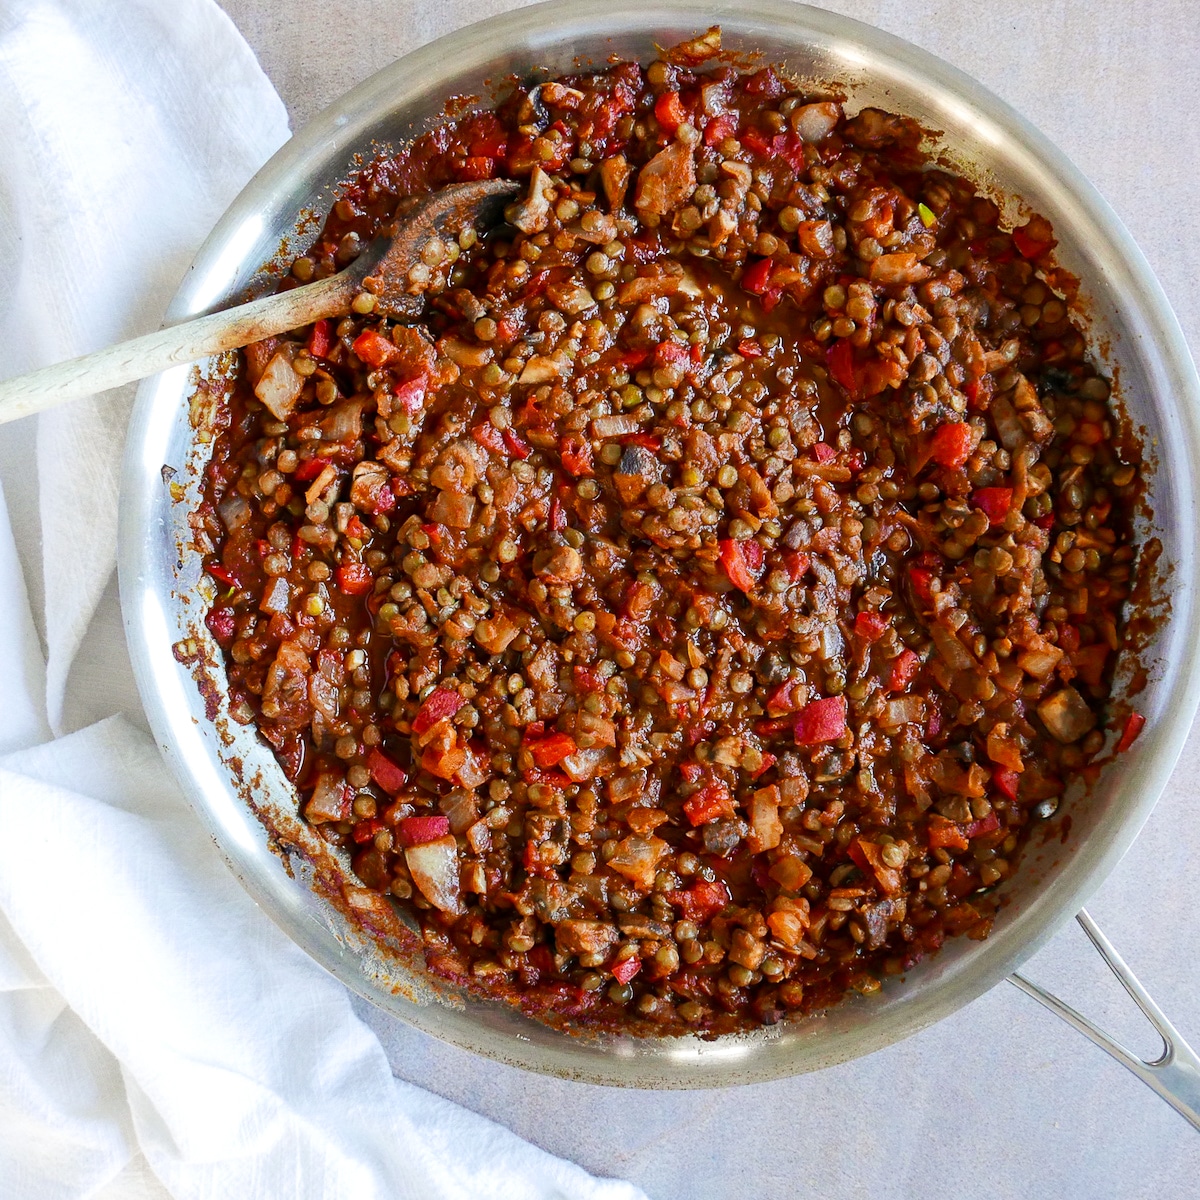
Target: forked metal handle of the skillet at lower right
[(1175, 1073)]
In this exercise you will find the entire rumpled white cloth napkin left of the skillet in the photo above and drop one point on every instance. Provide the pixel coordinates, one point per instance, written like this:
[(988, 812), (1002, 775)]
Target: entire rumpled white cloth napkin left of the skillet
[(159, 1036)]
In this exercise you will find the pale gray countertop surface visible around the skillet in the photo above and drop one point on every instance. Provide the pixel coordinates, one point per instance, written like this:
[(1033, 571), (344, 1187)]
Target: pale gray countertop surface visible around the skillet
[(1000, 1100)]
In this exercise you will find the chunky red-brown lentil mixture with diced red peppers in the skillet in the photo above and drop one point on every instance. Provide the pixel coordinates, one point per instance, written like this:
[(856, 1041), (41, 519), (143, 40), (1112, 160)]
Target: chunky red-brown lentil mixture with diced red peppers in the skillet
[(688, 620)]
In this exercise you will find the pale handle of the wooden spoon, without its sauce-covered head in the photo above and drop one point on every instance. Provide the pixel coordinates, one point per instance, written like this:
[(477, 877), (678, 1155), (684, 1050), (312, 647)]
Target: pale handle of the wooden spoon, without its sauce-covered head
[(170, 347)]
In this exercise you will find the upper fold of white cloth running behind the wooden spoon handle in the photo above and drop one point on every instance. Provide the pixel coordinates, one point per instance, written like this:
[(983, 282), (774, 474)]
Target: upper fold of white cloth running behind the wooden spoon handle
[(118, 163)]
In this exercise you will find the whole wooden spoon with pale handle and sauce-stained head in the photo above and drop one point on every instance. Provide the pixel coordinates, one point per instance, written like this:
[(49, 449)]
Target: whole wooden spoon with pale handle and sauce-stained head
[(382, 269)]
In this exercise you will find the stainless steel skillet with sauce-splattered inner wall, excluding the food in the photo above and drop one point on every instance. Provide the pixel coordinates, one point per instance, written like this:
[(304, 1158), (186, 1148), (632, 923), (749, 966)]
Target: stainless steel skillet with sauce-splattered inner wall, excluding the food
[(236, 784)]
